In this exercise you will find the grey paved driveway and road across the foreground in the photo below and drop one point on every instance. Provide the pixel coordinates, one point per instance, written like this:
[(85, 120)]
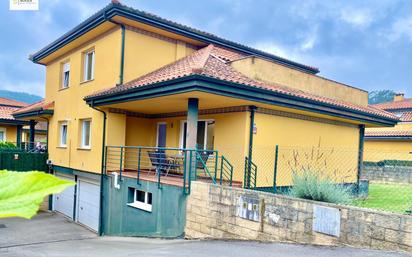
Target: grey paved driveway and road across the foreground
[(52, 235)]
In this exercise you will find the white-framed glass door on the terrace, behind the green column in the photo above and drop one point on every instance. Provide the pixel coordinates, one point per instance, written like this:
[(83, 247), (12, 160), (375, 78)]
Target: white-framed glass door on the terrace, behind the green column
[(205, 134)]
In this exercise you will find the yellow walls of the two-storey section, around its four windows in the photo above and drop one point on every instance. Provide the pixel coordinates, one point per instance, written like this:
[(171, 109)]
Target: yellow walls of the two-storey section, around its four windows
[(143, 53)]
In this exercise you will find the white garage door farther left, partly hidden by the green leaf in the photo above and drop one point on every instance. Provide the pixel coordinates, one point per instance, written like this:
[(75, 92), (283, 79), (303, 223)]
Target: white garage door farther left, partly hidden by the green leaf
[(64, 202)]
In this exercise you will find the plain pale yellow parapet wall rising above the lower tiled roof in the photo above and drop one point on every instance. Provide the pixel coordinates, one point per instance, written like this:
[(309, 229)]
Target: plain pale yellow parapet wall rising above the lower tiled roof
[(267, 71)]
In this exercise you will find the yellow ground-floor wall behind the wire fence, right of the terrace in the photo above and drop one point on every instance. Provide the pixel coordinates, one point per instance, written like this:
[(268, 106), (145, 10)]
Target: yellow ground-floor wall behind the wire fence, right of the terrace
[(330, 150)]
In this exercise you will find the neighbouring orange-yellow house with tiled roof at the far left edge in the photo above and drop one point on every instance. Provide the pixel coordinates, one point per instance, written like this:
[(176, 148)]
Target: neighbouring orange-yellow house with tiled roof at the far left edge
[(10, 128)]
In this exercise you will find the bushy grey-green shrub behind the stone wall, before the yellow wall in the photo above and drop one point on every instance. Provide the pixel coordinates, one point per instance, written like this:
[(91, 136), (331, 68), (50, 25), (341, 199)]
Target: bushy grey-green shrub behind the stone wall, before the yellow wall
[(309, 185)]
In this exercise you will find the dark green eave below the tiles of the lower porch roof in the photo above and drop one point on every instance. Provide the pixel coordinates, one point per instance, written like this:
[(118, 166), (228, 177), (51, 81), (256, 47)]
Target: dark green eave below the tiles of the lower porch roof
[(216, 86)]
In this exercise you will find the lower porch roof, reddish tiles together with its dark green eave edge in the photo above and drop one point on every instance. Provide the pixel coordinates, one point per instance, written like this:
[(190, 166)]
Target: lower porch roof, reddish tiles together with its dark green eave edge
[(212, 62)]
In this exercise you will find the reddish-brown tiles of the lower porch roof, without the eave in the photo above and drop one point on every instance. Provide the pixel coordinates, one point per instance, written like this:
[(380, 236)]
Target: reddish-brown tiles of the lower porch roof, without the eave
[(211, 61)]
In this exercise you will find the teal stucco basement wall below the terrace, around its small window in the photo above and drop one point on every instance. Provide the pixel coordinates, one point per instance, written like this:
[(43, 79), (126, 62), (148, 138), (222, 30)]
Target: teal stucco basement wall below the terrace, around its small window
[(167, 218)]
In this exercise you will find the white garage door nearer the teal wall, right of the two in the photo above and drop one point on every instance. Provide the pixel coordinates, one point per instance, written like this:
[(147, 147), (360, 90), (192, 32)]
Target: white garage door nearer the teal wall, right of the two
[(88, 204)]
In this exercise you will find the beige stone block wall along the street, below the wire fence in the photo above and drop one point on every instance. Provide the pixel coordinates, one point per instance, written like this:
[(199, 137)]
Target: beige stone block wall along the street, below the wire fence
[(214, 212)]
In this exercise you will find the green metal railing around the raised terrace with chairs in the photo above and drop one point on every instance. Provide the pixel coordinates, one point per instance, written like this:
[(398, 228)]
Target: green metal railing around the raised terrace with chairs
[(177, 166)]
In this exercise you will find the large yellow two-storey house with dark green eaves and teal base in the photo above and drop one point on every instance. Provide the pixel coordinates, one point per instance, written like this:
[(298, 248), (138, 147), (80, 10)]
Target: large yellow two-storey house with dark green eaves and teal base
[(128, 78)]
